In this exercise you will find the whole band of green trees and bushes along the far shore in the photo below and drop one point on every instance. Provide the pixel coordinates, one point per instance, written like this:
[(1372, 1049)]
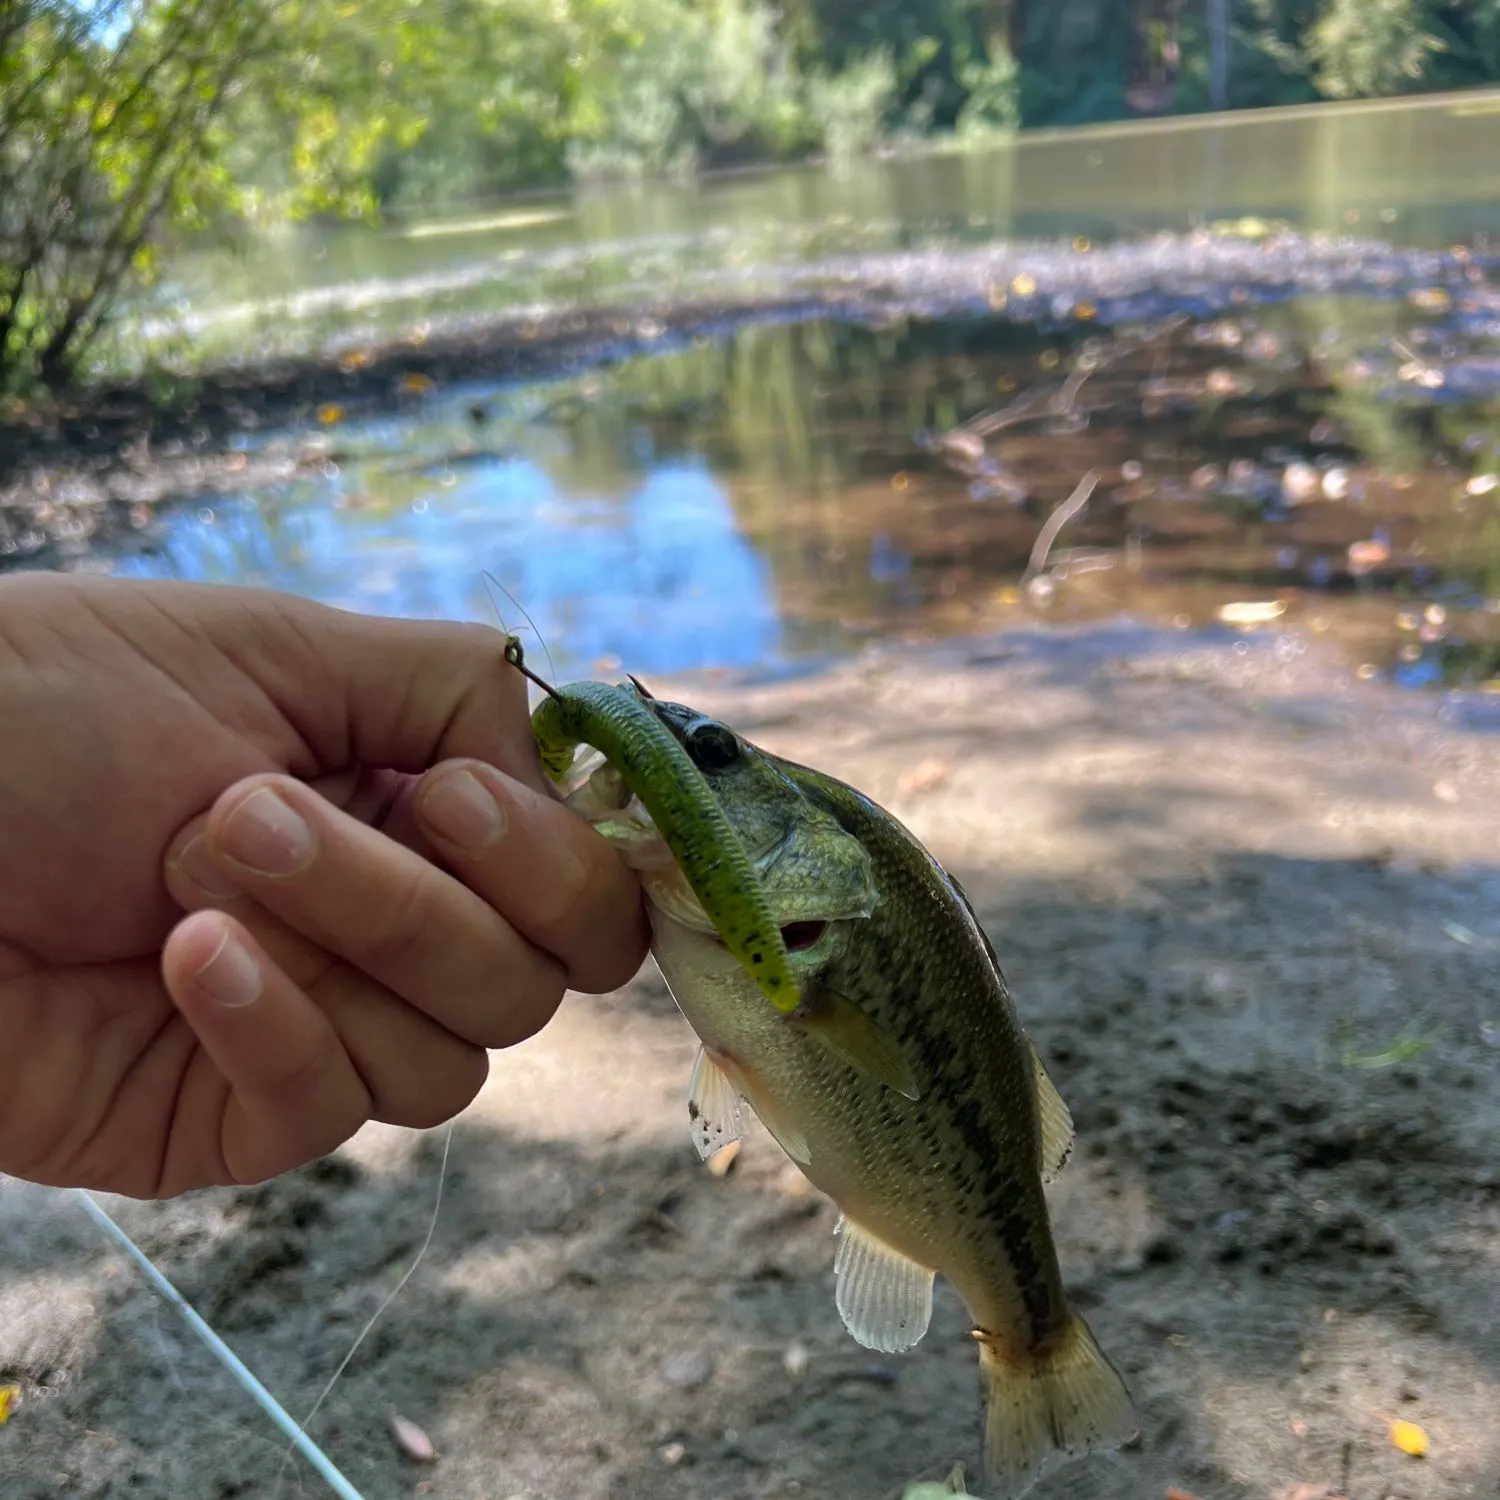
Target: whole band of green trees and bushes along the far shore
[(125, 124)]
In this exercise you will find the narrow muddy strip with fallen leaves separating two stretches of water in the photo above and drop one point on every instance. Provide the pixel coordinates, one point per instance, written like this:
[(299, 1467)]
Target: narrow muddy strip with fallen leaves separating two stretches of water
[(1030, 284)]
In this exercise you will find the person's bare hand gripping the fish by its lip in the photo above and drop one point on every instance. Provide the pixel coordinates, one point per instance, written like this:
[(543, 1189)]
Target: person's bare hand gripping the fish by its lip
[(268, 872)]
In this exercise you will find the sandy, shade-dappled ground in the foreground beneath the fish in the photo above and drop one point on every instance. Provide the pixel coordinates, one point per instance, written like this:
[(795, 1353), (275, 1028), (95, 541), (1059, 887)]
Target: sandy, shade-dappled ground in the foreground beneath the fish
[(1207, 872)]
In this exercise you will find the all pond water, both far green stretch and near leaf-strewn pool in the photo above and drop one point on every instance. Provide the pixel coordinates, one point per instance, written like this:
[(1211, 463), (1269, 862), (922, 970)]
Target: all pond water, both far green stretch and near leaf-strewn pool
[(778, 493)]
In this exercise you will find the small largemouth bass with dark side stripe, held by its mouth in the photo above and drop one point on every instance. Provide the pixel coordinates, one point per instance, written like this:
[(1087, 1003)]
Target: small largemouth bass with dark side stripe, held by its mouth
[(902, 1084)]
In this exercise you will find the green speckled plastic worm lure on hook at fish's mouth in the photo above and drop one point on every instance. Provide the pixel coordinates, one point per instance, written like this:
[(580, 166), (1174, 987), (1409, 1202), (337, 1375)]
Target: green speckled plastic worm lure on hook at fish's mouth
[(652, 763)]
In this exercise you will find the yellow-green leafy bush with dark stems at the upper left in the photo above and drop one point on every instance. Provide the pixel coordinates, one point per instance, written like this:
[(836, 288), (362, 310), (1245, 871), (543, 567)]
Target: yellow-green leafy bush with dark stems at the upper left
[(100, 142)]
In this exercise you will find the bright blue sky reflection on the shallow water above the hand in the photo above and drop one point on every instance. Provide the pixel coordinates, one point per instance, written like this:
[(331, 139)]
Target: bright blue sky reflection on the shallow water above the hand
[(658, 577)]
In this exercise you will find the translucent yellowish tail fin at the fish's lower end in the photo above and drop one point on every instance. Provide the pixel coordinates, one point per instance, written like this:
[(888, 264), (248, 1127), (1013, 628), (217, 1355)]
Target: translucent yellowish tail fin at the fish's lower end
[(1042, 1408)]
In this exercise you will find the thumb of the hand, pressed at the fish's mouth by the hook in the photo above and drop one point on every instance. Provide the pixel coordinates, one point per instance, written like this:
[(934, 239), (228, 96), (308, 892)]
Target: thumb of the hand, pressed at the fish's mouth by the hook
[(394, 694)]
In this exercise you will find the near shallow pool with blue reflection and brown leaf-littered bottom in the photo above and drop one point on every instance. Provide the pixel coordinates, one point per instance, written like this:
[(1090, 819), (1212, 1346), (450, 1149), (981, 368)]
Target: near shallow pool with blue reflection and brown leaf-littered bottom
[(1324, 467)]
